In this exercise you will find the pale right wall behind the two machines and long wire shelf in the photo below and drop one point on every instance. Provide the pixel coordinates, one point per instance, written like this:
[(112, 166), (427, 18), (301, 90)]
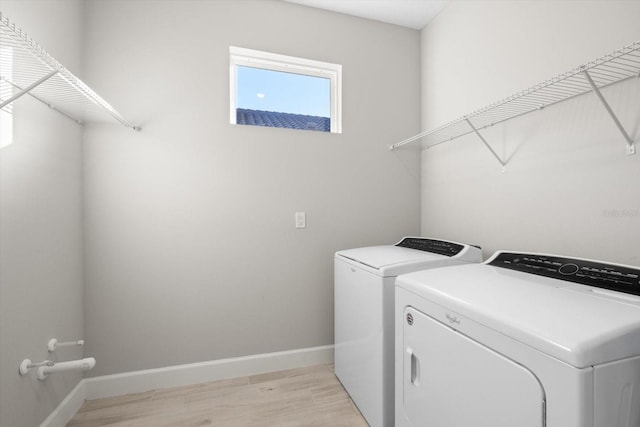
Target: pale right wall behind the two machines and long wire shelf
[(568, 188)]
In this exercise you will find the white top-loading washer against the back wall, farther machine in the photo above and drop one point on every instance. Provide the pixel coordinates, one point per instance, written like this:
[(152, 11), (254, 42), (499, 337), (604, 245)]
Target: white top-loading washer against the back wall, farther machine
[(364, 315)]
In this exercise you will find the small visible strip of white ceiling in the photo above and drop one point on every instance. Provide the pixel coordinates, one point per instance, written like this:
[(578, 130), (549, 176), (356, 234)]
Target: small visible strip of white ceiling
[(407, 13)]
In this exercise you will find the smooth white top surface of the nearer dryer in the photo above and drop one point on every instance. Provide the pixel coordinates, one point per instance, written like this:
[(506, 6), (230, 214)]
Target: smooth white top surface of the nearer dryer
[(580, 325)]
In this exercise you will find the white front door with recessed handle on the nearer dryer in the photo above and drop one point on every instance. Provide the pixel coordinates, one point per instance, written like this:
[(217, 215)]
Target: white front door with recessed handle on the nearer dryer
[(450, 380)]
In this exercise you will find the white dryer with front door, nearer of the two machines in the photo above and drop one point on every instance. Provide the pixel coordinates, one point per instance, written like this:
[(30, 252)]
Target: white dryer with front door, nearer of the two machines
[(526, 340)]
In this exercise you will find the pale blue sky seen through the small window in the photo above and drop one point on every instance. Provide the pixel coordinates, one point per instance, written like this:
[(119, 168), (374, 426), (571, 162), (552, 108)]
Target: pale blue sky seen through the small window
[(267, 90)]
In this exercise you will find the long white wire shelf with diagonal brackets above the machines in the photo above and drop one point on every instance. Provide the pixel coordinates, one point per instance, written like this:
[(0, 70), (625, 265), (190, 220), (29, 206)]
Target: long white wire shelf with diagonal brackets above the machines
[(615, 67)]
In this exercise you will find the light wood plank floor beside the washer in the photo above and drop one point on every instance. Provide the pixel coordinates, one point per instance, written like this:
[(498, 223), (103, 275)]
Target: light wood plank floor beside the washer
[(310, 396)]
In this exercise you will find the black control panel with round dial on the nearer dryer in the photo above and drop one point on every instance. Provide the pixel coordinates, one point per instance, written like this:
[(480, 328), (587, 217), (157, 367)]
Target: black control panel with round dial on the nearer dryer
[(585, 272)]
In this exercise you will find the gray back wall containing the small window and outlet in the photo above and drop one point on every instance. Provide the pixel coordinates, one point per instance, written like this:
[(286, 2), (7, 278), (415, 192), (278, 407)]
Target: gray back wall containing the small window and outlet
[(191, 250)]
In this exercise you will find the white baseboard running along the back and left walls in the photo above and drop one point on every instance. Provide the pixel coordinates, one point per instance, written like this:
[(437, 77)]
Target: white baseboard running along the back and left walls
[(179, 375)]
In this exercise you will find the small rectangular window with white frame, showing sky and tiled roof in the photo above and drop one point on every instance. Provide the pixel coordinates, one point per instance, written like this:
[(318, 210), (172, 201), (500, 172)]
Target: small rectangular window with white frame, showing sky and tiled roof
[(268, 89)]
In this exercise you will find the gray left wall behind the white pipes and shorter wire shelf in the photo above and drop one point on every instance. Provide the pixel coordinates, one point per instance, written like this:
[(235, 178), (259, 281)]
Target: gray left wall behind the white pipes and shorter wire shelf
[(40, 227)]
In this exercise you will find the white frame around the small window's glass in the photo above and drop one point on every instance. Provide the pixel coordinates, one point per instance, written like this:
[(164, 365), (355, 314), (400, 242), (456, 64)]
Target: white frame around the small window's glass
[(239, 56)]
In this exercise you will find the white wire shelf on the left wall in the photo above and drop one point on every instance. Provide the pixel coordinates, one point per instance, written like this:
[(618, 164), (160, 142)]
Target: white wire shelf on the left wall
[(26, 68)]
